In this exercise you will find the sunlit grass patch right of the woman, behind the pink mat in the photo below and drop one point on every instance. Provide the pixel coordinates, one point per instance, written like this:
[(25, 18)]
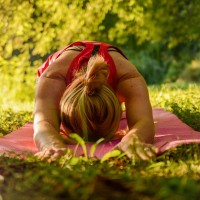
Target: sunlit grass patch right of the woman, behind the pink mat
[(181, 99)]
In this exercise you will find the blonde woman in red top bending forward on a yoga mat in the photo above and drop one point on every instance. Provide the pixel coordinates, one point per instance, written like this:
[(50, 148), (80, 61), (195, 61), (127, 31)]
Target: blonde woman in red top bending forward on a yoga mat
[(81, 87)]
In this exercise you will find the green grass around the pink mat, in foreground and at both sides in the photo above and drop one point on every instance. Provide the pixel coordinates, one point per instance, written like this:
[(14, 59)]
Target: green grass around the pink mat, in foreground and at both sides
[(174, 175)]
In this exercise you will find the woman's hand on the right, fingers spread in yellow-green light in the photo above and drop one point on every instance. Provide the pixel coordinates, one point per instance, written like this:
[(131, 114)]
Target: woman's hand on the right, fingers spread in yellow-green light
[(134, 147)]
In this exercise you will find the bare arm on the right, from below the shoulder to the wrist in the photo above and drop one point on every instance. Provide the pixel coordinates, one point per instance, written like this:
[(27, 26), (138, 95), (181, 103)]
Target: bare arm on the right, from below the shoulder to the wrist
[(138, 108)]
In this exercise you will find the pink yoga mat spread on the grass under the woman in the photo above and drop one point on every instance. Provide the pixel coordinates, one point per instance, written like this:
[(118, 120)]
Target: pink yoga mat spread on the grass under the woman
[(170, 132)]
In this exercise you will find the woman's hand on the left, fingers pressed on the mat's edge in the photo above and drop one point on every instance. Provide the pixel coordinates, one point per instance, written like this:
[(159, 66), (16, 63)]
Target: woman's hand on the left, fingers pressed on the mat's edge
[(52, 153)]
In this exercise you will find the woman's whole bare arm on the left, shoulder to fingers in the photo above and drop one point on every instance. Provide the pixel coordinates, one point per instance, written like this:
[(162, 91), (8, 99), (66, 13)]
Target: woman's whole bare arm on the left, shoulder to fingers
[(49, 90)]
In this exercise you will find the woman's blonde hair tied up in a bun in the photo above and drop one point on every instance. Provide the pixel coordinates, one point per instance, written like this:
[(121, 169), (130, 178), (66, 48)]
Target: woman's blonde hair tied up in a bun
[(89, 107)]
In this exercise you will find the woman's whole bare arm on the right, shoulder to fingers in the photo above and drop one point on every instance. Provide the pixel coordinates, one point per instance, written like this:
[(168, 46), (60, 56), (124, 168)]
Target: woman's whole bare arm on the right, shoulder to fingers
[(134, 92)]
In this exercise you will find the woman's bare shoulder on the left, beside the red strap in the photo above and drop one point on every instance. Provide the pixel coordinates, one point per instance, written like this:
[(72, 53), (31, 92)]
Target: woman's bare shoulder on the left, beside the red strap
[(58, 69)]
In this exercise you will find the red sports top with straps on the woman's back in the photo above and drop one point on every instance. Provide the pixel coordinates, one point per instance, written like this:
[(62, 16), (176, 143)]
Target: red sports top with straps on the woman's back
[(90, 48)]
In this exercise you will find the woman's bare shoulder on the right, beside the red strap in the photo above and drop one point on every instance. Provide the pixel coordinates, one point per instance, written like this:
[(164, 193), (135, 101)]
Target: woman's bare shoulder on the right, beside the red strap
[(125, 69)]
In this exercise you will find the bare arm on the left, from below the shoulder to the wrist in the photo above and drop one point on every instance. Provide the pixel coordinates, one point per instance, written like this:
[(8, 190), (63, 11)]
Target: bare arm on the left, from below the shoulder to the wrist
[(46, 114)]
